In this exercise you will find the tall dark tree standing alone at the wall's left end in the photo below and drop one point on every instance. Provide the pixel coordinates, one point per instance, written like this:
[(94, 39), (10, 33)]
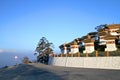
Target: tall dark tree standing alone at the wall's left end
[(43, 49)]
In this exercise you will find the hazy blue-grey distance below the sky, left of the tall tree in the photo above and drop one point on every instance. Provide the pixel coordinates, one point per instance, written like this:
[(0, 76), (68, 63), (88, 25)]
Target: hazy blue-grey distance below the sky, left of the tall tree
[(8, 58)]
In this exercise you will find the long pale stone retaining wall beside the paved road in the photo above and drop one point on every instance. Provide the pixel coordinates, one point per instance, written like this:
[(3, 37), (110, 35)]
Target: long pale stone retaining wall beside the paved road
[(86, 62)]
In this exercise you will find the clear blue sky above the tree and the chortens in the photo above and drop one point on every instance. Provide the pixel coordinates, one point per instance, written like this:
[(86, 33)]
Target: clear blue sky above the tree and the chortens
[(24, 22)]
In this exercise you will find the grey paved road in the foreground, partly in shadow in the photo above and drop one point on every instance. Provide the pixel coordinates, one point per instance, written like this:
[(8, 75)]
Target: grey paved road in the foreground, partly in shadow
[(45, 72)]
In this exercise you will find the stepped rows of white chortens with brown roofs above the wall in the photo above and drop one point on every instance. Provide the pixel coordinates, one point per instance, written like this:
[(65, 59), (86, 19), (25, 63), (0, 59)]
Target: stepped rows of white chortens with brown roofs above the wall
[(106, 38)]
